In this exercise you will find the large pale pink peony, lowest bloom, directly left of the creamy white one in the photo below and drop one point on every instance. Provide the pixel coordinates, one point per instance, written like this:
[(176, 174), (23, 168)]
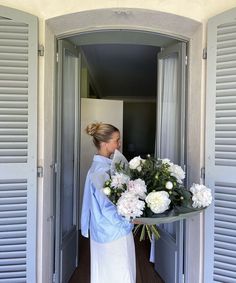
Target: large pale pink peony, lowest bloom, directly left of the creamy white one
[(130, 206)]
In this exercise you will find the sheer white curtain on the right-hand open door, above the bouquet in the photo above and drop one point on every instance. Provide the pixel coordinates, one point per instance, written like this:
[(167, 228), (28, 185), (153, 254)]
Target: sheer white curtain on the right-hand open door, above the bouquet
[(170, 114)]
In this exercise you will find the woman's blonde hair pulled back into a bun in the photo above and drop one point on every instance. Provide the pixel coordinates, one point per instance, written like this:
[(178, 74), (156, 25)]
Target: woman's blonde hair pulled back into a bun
[(100, 132)]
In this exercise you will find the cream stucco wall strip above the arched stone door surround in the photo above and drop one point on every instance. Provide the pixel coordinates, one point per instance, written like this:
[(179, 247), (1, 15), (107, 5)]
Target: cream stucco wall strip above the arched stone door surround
[(199, 10)]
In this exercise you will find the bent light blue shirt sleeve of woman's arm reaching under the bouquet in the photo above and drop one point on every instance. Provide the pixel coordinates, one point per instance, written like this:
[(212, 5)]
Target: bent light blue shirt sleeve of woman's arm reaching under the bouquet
[(106, 207)]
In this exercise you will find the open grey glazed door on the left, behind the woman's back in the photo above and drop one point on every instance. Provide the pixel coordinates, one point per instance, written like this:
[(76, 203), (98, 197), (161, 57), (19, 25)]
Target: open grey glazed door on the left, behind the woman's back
[(66, 249)]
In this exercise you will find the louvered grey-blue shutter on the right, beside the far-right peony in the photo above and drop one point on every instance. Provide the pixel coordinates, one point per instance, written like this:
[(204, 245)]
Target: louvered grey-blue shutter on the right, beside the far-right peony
[(220, 218)]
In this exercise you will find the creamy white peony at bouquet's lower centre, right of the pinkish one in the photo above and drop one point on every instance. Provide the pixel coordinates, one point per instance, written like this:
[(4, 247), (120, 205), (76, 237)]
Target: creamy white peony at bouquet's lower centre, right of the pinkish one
[(158, 201)]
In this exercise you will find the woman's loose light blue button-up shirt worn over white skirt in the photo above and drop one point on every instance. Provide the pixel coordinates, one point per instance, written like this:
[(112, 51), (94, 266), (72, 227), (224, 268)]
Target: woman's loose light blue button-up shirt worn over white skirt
[(99, 216)]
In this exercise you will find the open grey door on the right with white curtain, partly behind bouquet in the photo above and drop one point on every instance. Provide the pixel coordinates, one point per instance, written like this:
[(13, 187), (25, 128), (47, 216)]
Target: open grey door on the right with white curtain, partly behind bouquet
[(170, 144)]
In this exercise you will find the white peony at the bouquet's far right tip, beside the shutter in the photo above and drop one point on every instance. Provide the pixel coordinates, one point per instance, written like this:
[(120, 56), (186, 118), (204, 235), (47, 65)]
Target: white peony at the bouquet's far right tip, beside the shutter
[(202, 196)]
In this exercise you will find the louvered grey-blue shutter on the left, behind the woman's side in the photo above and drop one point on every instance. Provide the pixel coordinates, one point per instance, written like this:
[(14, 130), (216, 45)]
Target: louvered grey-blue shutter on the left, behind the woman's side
[(18, 145)]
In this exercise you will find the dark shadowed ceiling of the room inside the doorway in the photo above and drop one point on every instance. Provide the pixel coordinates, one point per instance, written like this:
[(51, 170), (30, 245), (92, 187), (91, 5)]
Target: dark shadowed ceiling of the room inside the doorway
[(122, 70)]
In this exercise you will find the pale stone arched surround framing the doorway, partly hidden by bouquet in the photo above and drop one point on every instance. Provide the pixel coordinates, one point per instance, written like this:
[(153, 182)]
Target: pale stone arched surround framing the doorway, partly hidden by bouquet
[(167, 24)]
